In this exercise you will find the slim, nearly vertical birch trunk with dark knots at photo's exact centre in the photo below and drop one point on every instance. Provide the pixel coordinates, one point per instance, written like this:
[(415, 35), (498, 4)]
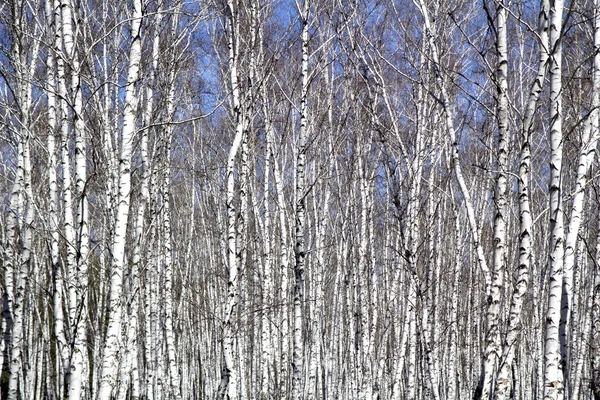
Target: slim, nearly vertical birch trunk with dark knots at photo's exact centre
[(300, 193)]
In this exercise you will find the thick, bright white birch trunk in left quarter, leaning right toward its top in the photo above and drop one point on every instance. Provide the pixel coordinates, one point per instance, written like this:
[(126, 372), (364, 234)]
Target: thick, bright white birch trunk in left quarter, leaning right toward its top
[(110, 357)]
